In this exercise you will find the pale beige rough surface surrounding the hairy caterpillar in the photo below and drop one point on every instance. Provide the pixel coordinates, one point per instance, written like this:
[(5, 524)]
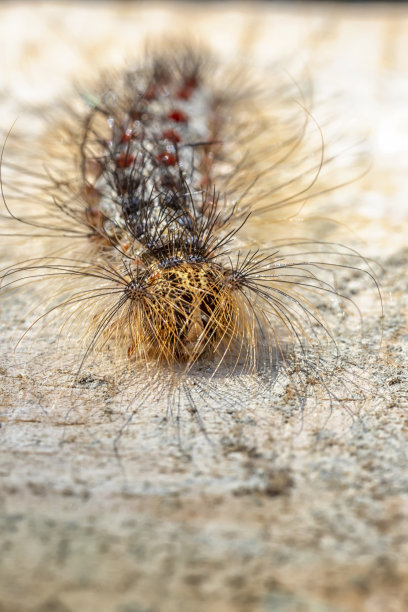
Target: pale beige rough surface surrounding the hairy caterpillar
[(272, 511)]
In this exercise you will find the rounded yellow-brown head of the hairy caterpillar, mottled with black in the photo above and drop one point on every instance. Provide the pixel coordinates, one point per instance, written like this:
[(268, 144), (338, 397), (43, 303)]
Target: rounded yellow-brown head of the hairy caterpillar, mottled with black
[(181, 310)]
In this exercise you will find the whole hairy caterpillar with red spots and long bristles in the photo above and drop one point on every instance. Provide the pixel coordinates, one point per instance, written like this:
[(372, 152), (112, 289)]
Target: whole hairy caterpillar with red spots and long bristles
[(147, 201)]
